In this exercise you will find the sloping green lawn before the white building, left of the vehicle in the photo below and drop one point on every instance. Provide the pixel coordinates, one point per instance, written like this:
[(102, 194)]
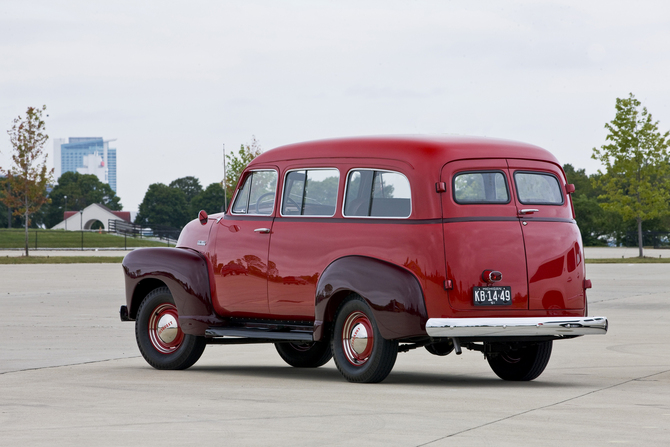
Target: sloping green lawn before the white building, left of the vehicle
[(15, 238)]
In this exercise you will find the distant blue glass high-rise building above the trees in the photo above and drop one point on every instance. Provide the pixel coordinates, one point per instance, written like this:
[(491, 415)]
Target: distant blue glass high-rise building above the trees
[(86, 155)]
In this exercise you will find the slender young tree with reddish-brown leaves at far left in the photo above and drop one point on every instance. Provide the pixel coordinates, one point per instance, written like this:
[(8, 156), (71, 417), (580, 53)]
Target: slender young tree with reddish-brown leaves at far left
[(27, 178)]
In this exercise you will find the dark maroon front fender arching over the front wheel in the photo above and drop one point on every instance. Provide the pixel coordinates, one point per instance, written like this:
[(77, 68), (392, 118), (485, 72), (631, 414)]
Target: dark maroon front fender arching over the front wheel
[(185, 272)]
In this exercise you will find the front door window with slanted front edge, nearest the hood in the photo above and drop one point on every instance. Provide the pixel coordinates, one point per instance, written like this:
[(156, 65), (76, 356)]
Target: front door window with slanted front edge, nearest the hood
[(257, 195)]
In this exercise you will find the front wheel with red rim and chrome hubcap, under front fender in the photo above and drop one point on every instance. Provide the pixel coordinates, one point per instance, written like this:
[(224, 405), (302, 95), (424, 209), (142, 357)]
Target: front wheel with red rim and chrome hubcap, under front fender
[(163, 345)]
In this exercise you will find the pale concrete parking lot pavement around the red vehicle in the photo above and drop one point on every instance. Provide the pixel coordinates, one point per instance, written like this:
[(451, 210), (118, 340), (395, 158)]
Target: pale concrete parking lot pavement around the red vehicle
[(70, 375)]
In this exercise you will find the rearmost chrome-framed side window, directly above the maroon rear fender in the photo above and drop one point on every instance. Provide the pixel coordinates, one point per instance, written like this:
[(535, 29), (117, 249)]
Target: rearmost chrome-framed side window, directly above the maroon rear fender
[(373, 193)]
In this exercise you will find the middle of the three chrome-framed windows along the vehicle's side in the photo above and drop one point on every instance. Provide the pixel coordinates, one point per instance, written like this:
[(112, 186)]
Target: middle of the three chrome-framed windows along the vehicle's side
[(310, 192)]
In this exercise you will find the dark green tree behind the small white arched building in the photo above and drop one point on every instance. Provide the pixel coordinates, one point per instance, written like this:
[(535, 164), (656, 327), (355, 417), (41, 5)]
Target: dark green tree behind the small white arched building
[(75, 192)]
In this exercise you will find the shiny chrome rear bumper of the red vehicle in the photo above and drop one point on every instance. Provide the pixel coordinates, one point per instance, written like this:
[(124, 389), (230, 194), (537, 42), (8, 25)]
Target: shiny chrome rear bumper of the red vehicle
[(513, 327)]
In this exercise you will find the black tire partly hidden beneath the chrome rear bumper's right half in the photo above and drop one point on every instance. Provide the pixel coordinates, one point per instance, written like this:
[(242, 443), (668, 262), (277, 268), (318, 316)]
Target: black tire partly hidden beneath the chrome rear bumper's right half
[(523, 364)]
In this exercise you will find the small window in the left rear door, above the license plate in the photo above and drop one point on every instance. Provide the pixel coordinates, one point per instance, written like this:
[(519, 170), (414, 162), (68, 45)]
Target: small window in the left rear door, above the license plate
[(480, 187)]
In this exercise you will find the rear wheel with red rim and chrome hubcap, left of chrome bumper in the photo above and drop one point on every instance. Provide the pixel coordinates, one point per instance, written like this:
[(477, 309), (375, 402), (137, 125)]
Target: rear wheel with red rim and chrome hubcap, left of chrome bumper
[(366, 361)]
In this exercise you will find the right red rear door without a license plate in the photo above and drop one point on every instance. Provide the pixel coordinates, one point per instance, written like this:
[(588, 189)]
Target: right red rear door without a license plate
[(553, 244)]
